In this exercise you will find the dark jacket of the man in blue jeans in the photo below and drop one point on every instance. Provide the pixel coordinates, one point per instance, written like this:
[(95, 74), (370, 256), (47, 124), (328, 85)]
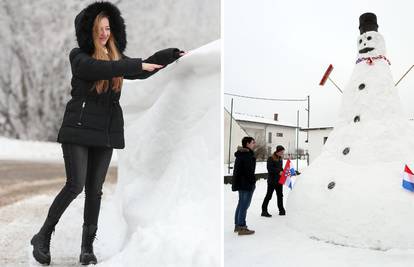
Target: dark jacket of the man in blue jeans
[(244, 169)]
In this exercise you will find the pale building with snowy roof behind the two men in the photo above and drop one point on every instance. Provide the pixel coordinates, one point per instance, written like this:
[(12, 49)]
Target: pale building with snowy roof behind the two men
[(267, 133)]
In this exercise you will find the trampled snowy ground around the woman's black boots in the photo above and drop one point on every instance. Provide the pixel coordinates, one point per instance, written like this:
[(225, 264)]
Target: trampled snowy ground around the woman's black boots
[(20, 221)]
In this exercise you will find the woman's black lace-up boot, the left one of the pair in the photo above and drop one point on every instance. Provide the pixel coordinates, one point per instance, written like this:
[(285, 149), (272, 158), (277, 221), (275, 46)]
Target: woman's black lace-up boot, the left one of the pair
[(41, 243)]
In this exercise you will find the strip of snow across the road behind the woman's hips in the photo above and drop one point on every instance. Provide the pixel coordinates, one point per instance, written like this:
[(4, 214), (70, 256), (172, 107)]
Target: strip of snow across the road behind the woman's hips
[(12, 149)]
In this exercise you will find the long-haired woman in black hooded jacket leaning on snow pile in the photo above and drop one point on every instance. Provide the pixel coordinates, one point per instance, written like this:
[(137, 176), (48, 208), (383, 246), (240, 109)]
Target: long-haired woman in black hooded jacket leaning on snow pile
[(92, 124)]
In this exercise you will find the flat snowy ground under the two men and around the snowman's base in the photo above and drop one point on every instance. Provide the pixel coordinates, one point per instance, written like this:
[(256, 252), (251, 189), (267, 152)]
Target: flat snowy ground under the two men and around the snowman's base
[(276, 244)]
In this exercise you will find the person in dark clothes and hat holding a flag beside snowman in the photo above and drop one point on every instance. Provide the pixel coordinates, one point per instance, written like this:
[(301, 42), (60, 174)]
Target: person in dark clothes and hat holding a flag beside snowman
[(274, 169)]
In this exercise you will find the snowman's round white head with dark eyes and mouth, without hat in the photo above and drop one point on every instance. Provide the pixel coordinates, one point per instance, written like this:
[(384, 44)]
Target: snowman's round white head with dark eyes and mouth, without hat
[(371, 44)]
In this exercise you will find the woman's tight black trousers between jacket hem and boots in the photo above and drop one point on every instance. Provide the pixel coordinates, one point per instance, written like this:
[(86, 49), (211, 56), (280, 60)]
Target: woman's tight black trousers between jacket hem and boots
[(85, 167)]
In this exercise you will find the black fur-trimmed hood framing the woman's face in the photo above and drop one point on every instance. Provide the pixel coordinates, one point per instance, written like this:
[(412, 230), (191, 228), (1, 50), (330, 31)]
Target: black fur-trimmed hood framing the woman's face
[(84, 24)]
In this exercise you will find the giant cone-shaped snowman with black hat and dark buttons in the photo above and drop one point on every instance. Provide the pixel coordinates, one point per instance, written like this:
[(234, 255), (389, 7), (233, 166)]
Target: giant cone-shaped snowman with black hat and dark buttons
[(351, 195)]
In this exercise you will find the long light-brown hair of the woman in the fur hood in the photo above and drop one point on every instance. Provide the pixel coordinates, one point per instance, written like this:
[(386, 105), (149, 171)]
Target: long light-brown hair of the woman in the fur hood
[(99, 53)]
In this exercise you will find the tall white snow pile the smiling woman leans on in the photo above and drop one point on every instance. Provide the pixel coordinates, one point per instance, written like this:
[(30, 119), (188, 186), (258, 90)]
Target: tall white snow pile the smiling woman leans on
[(166, 209)]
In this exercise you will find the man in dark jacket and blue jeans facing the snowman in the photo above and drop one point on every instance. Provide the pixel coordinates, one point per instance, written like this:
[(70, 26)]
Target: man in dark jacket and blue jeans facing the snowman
[(244, 181)]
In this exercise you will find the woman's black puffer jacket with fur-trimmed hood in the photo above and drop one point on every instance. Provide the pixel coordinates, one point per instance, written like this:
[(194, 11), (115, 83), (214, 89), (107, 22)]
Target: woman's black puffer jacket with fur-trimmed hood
[(90, 118)]
